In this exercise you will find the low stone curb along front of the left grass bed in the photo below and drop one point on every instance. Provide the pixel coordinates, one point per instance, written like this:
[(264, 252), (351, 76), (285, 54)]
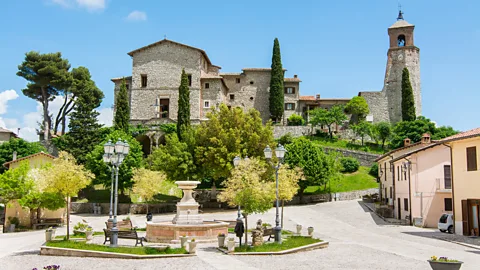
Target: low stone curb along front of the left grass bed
[(55, 251)]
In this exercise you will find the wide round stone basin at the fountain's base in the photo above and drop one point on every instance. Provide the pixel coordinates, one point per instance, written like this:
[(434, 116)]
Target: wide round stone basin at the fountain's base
[(167, 232)]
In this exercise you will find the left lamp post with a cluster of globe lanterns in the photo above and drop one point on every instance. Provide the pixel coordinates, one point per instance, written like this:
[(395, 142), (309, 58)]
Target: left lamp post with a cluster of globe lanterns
[(115, 154)]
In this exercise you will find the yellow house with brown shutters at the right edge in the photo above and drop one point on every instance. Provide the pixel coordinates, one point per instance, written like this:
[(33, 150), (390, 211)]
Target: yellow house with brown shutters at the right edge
[(464, 149)]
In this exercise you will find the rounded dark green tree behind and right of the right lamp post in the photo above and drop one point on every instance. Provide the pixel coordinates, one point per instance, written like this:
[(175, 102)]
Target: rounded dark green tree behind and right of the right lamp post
[(317, 166)]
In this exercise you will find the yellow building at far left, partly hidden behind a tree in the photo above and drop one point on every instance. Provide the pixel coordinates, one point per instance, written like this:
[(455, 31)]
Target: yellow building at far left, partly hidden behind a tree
[(14, 209)]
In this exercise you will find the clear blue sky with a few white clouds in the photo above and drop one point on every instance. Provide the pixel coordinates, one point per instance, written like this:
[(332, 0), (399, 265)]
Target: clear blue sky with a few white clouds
[(337, 48)]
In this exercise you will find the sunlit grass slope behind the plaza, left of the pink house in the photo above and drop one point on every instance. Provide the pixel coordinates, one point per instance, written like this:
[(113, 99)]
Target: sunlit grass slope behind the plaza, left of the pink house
[(358, 180)]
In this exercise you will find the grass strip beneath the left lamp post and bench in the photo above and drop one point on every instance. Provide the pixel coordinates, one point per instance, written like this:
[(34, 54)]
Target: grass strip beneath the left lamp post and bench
[(126, 250)]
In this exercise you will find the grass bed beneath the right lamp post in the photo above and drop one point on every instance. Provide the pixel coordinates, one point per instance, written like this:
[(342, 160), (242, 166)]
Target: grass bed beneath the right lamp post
[(289, 243)]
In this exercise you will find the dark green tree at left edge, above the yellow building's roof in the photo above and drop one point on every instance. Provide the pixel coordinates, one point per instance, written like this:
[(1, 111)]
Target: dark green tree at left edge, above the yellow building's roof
[(22, 147)]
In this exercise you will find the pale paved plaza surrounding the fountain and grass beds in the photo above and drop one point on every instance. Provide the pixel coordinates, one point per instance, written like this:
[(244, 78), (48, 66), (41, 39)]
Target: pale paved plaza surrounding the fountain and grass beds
[(358, 240)]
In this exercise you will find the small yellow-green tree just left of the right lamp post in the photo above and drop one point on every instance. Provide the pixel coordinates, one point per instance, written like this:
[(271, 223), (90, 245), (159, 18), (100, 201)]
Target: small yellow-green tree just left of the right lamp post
[(247, 186)]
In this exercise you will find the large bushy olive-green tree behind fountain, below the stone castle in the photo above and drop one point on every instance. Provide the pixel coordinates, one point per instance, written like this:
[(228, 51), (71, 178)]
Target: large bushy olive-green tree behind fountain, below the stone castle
[(227, 134)]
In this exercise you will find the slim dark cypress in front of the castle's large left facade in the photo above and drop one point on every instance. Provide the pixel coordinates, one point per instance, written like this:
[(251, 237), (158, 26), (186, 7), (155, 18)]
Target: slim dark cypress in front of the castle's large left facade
[(183, 115)]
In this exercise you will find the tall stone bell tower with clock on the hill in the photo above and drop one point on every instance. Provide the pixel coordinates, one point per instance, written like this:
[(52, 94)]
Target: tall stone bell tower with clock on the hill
[(387, 104)]
